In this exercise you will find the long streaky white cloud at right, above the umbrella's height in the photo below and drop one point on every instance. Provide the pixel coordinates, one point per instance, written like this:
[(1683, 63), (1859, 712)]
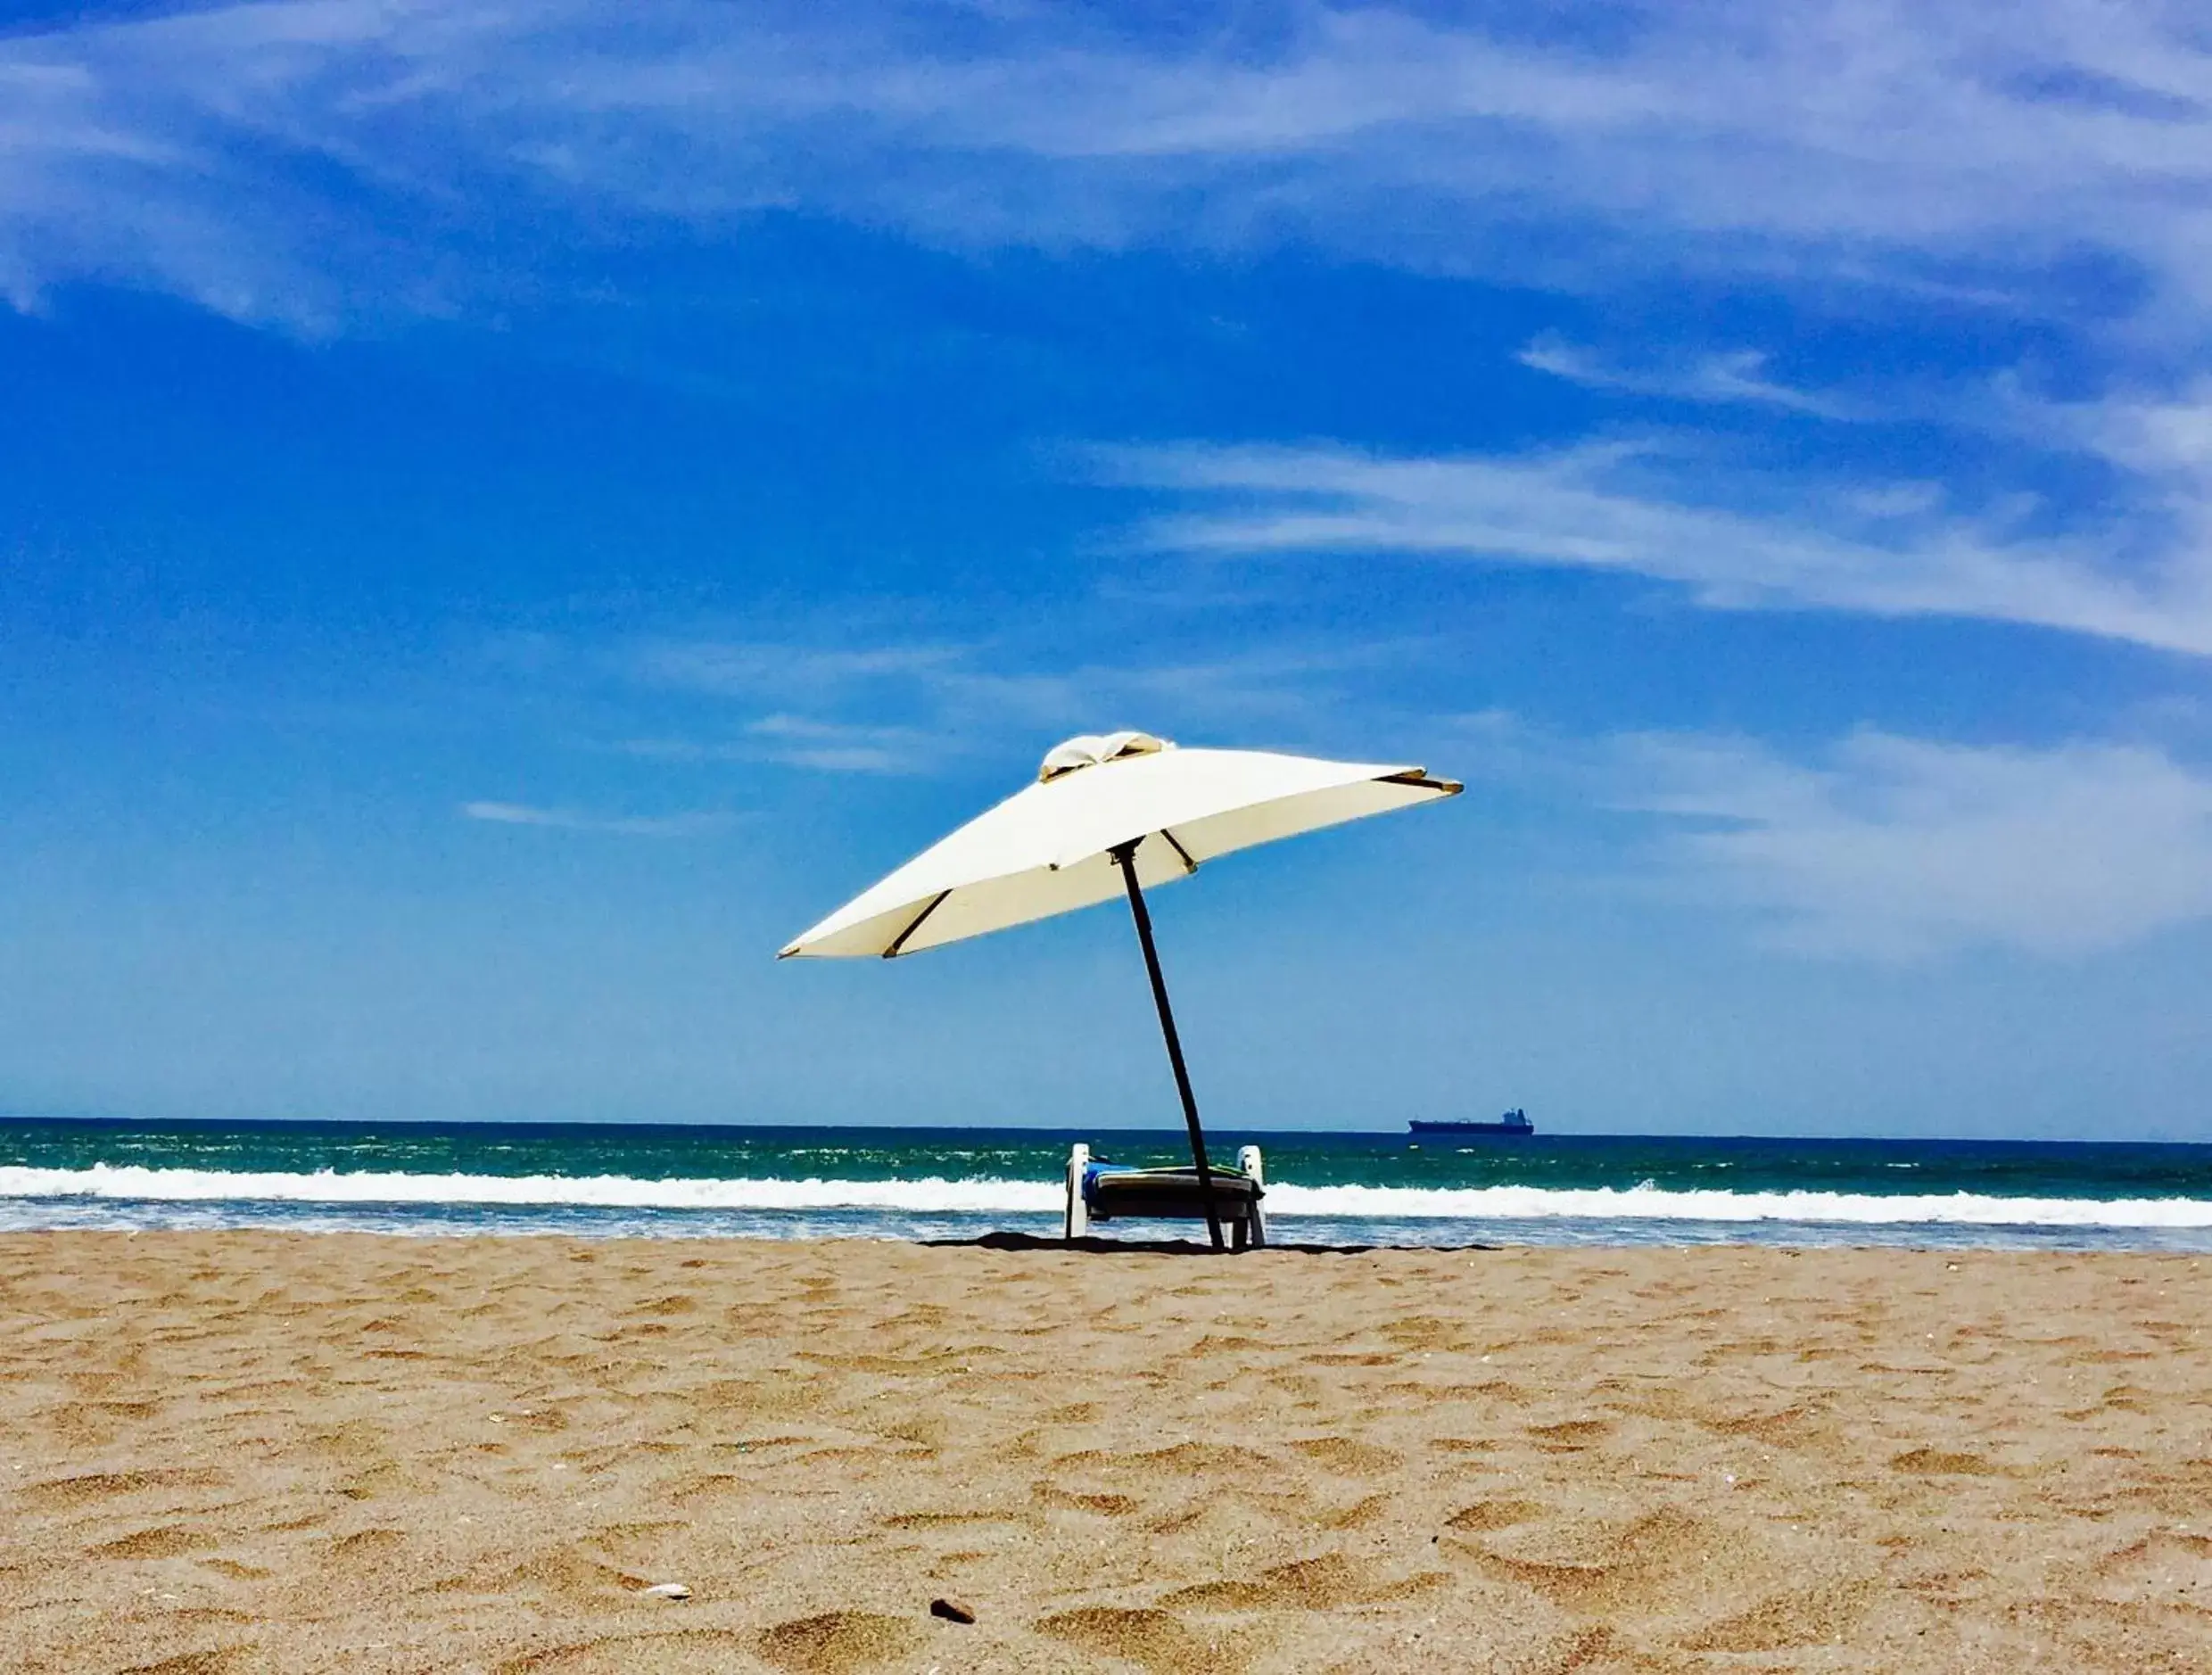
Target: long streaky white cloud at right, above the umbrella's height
[(1733, 537)]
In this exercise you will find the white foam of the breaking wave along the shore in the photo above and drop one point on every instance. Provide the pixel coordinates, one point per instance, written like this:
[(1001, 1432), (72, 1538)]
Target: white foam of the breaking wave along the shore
[(937, 1196)]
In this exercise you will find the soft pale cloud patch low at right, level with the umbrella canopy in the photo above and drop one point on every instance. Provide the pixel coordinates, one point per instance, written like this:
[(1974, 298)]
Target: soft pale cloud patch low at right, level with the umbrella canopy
[(1903, 849)]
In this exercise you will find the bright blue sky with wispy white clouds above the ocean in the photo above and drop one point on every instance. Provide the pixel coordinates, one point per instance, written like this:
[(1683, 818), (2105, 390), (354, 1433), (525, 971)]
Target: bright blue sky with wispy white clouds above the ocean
[(508, 514)]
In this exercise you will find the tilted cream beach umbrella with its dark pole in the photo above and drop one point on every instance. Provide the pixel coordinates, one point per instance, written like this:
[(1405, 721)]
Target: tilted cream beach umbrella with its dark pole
[(1107, 818)]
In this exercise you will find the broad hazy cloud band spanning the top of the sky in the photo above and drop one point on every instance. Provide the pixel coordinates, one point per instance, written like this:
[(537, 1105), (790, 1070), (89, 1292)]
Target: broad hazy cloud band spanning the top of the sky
[(300, 160)]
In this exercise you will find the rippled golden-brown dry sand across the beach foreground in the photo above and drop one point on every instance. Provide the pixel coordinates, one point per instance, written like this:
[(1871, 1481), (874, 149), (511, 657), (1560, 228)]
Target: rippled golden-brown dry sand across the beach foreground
[(293, 1453)]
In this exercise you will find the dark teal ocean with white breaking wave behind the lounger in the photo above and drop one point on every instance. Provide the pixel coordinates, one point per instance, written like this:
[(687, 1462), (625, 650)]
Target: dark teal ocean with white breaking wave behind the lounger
[(1333, 1189)]
